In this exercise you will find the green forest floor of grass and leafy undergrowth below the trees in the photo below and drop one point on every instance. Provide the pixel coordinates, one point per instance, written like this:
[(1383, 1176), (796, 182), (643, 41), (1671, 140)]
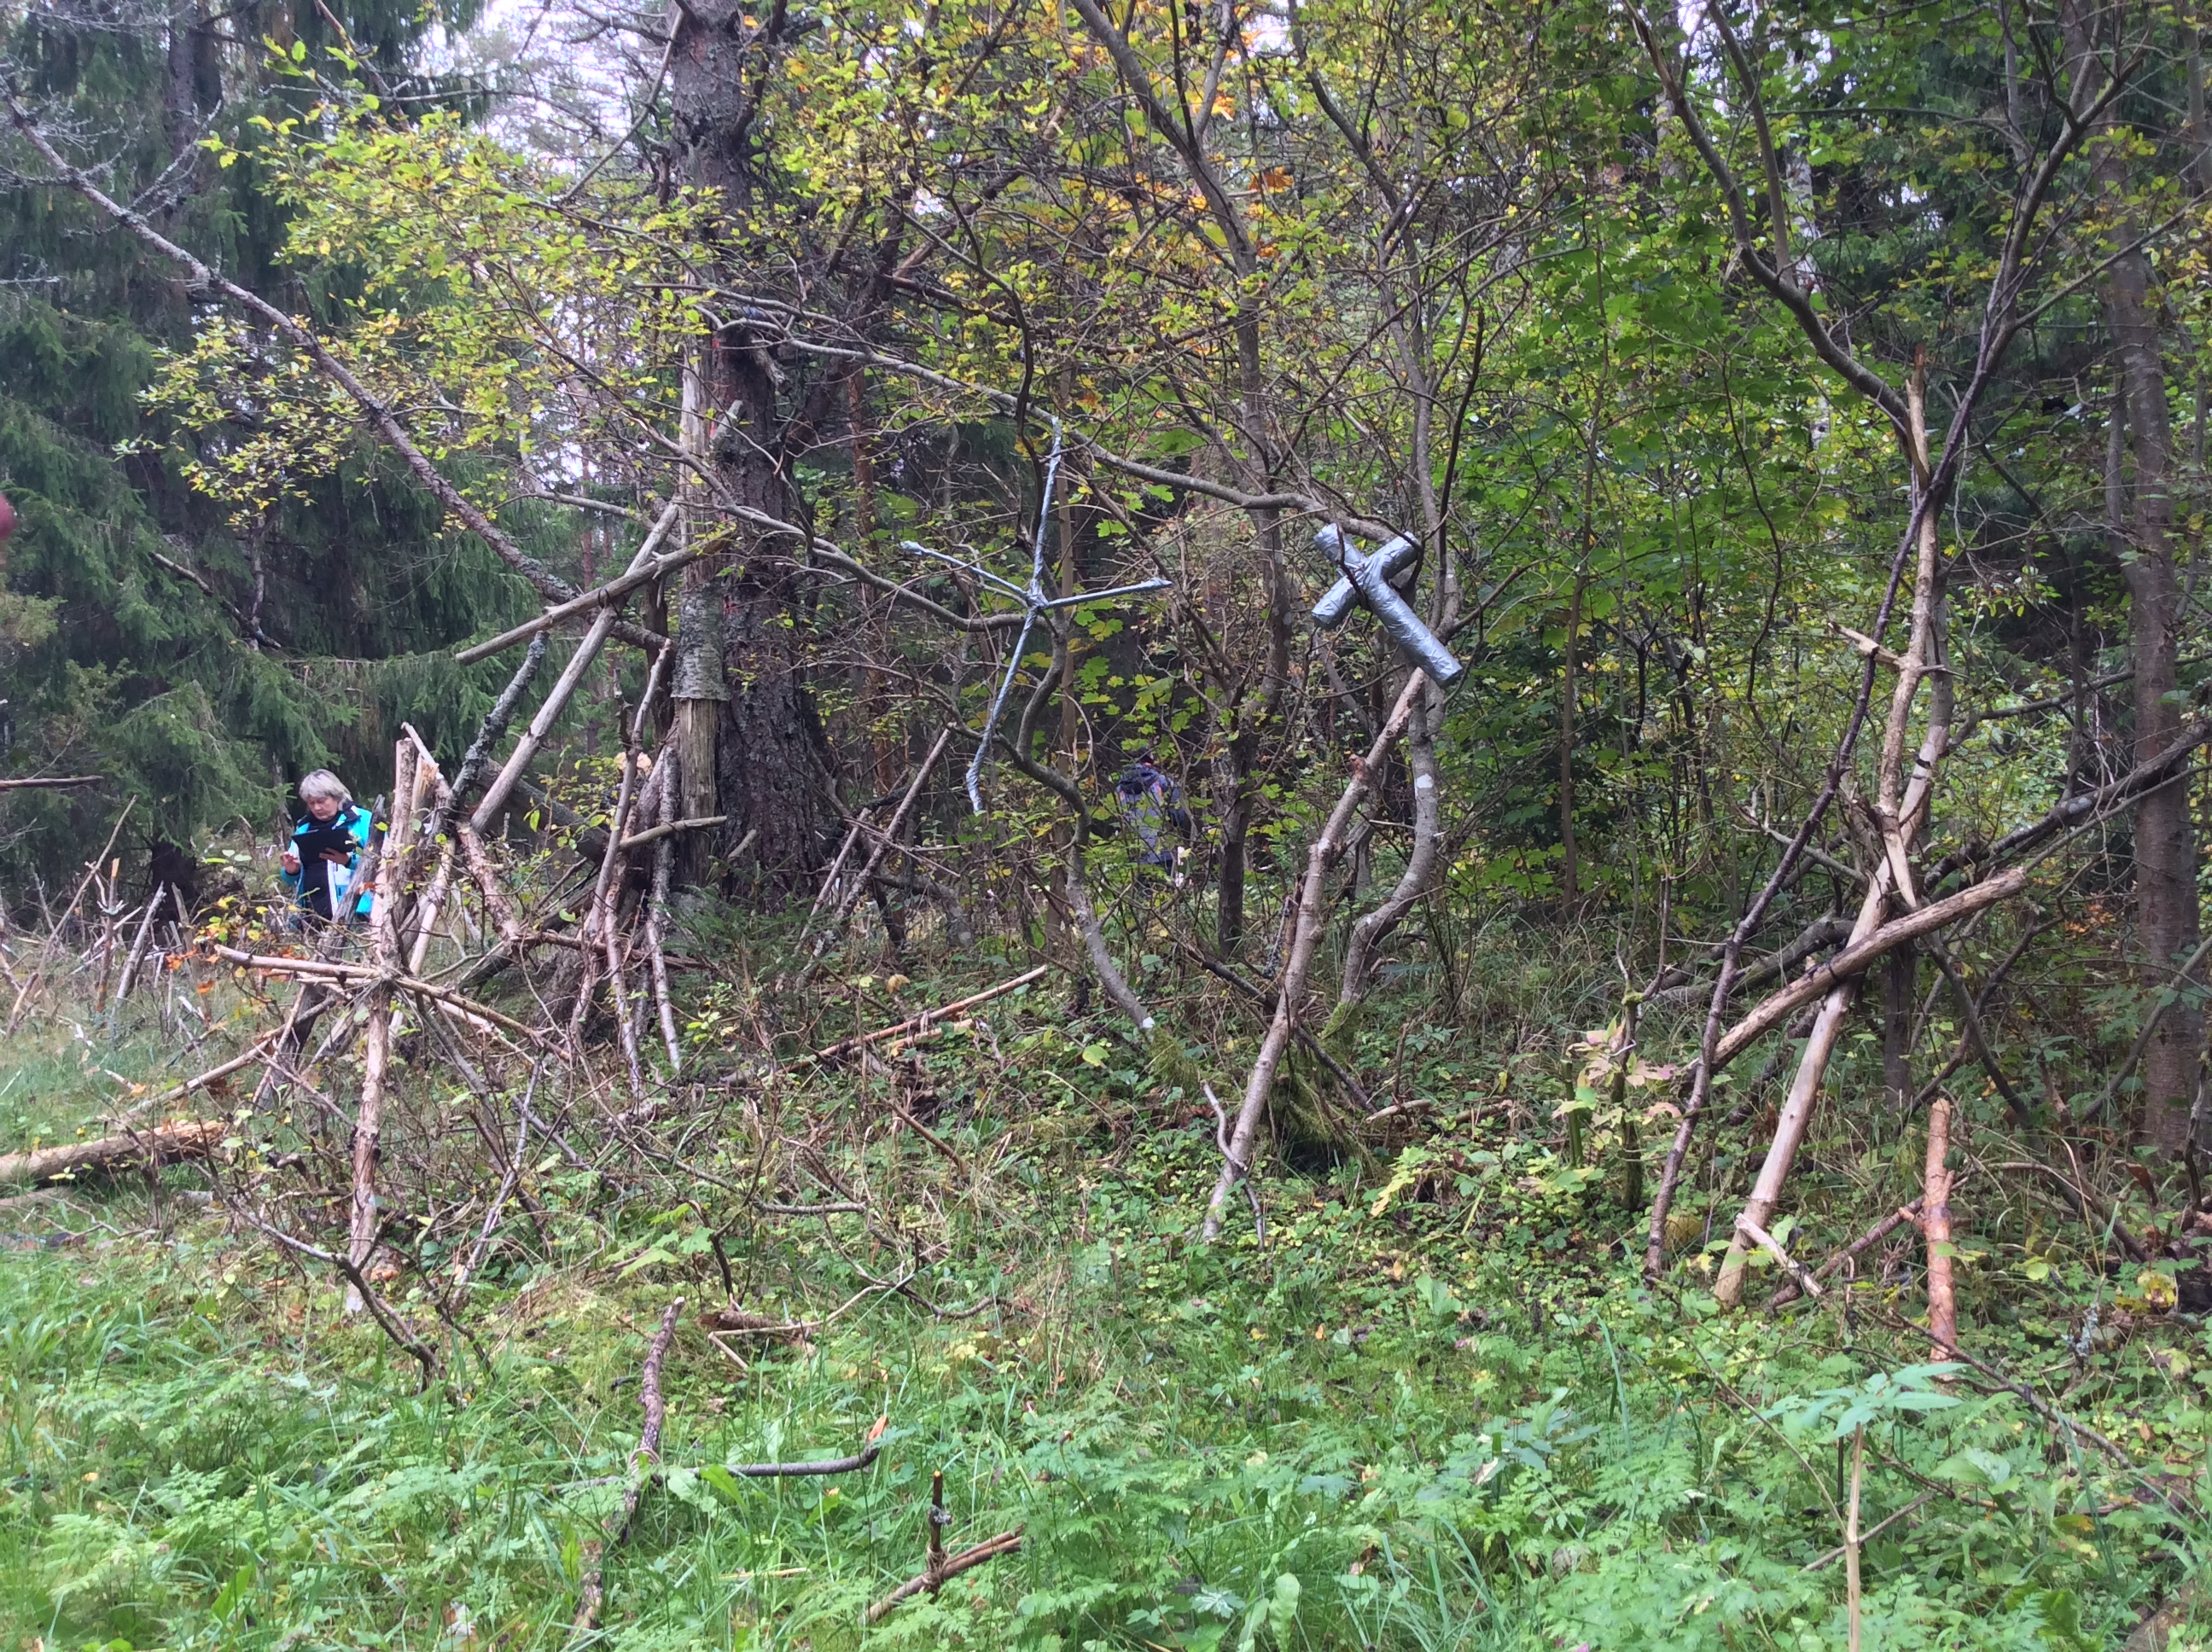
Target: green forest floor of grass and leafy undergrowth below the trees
[(1434, 1410)]
